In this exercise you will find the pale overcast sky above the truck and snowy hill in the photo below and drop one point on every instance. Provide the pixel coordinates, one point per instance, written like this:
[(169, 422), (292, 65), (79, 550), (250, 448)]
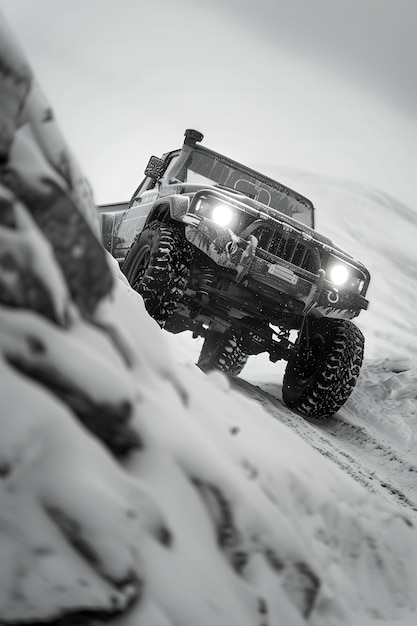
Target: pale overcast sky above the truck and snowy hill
[(326, 86)]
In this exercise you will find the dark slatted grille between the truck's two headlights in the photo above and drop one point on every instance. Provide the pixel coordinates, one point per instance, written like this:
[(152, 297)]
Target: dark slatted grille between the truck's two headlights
[(287, 246)]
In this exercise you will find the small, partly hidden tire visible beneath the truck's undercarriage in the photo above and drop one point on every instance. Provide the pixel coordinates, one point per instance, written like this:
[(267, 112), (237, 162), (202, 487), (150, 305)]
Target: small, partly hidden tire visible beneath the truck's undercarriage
[(222, 352)]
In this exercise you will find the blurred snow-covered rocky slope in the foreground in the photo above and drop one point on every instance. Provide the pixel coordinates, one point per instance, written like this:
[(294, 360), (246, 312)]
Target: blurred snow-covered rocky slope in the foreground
[(133, 486)]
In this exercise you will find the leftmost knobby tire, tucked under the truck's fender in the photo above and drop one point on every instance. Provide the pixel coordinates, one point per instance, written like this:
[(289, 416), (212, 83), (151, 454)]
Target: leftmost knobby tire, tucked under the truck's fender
[(158, 267)]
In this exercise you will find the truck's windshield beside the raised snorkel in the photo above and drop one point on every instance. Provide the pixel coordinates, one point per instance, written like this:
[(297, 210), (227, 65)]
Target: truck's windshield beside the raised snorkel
[(205, 167)]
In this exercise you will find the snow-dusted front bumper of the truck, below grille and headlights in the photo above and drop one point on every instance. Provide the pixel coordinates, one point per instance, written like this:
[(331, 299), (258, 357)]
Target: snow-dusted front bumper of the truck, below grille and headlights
[(232, 252)]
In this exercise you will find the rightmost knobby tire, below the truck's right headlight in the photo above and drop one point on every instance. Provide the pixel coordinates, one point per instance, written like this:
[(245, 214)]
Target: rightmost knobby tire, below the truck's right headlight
[(319, 379)]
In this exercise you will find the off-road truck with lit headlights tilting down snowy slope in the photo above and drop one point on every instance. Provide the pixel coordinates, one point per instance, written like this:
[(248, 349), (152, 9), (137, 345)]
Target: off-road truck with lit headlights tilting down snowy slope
[(221, 250)]
